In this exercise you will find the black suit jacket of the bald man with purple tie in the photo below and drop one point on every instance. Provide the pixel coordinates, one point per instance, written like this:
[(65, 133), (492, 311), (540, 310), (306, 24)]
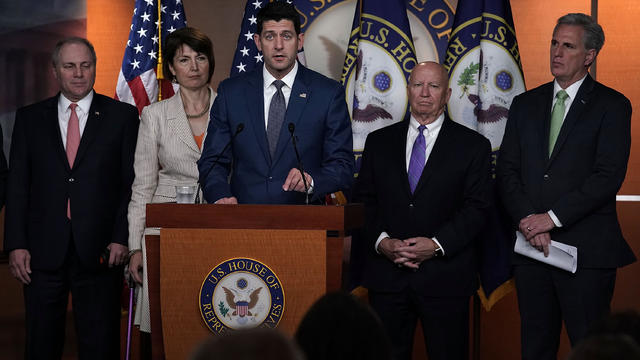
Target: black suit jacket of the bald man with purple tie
[(450, 203)]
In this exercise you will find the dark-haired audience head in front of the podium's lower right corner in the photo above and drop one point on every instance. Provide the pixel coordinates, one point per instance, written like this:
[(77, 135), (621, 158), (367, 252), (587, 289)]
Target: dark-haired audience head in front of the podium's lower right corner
[(340, 326)]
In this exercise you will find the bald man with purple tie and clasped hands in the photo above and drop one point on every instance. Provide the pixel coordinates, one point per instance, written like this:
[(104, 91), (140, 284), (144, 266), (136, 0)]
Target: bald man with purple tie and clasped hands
[(425, 186)]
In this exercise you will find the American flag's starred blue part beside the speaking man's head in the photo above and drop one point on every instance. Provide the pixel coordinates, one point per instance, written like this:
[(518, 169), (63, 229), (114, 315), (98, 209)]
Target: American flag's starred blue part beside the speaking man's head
[(247, 55)]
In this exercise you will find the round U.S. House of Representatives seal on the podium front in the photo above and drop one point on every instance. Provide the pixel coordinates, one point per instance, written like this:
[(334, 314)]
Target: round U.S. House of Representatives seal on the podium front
[(241, 293)]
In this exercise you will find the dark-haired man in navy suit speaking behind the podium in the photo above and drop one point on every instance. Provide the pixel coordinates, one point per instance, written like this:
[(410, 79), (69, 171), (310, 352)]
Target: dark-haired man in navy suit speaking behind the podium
[(268, 103)]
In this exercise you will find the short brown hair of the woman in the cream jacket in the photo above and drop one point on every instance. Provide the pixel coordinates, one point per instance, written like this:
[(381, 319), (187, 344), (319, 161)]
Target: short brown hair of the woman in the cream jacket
[(195, 39)]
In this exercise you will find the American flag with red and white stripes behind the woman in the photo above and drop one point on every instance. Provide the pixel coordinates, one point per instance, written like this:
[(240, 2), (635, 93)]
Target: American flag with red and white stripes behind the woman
[(137, 82)]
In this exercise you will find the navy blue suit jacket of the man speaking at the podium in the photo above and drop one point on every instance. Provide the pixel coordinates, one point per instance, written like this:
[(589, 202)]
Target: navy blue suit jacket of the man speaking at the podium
[(319, 113)]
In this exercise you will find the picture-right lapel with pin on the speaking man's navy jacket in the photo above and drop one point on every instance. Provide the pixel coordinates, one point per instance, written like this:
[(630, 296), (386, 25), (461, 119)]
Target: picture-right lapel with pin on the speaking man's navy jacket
[(297, 102)]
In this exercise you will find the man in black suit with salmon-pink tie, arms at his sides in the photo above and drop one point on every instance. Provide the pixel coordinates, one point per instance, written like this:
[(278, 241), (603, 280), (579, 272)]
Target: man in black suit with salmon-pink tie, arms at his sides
[(68, 191)]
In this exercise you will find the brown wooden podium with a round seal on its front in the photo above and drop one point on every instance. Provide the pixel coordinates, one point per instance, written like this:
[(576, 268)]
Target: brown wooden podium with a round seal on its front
[(302, 245)]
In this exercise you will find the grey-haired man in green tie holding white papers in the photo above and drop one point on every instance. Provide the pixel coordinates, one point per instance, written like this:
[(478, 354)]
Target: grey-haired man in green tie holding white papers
[(563, 159)]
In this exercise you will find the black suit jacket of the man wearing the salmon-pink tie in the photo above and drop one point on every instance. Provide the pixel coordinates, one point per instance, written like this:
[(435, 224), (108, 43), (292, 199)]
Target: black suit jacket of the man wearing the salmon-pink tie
[(99, 184)]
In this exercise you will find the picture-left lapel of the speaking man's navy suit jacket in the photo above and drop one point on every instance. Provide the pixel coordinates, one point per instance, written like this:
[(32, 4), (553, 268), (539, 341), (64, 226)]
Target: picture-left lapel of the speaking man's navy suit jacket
[(255, 104)]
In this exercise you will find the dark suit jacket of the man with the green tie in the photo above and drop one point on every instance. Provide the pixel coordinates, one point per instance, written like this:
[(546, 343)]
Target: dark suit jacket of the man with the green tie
[(580, 180)]
